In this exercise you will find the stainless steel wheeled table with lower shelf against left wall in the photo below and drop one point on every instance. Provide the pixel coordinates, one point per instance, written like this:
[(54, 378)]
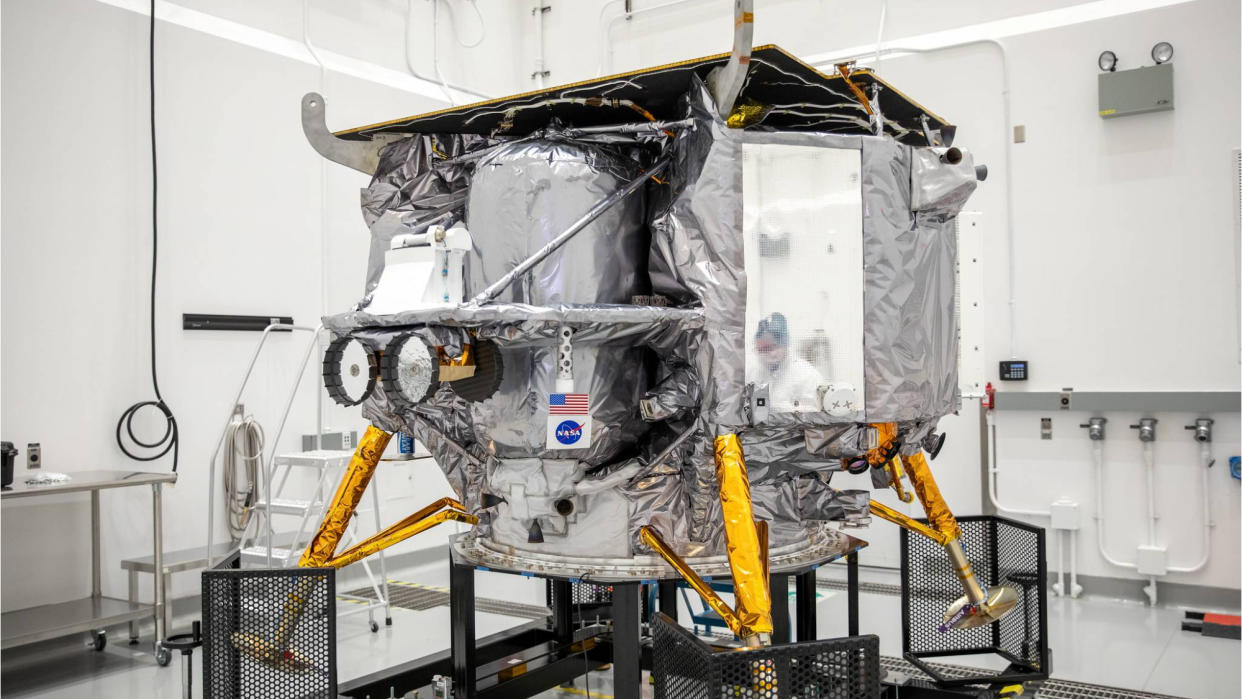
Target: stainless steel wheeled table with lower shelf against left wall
[(94, 613)]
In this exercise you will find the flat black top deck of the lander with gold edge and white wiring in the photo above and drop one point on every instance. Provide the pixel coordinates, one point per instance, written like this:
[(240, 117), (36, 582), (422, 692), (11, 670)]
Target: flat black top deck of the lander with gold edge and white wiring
[(776, 78)]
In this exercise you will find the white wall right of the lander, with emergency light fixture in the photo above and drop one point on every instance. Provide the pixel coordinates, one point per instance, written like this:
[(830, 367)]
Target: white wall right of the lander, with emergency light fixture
[(1127, 275)]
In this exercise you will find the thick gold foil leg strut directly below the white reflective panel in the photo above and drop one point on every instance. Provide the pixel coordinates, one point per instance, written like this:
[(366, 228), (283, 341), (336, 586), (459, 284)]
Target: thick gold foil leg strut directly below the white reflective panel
[(742, 538)]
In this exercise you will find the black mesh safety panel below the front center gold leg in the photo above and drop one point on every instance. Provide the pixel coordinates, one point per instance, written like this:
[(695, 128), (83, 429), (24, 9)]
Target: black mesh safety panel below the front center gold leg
[(835, 669)]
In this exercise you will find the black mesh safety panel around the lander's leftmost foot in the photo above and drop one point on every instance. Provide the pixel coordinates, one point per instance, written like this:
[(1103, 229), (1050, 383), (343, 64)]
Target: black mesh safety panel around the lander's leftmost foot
[(245, 613)]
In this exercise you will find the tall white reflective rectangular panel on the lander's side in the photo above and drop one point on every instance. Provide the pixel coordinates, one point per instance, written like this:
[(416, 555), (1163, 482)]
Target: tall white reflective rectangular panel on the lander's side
[(804, 263)]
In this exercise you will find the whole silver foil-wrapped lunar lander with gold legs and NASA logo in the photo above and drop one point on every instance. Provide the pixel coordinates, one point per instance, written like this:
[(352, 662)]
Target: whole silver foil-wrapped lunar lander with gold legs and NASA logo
[(641, 322)]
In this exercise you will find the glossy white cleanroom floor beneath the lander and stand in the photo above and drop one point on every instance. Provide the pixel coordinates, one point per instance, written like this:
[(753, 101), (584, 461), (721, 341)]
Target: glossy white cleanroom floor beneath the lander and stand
[(1096, 641)]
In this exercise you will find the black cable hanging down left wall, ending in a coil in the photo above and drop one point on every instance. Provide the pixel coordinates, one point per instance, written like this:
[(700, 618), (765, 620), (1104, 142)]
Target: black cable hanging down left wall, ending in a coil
[(171, 439)]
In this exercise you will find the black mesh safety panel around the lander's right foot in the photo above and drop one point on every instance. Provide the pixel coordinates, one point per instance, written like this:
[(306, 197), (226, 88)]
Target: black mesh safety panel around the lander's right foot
[(1002, 552)]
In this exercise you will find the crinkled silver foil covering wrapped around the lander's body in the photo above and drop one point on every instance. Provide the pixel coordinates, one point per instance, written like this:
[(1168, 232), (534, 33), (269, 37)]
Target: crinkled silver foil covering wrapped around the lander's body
[(654, 372)]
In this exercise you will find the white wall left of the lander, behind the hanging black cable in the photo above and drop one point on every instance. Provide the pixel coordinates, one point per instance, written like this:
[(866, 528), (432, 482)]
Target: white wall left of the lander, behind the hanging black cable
[(247, 227)]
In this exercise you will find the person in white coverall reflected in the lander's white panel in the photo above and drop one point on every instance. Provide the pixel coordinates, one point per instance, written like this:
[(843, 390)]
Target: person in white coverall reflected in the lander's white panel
[(793, 383)]
